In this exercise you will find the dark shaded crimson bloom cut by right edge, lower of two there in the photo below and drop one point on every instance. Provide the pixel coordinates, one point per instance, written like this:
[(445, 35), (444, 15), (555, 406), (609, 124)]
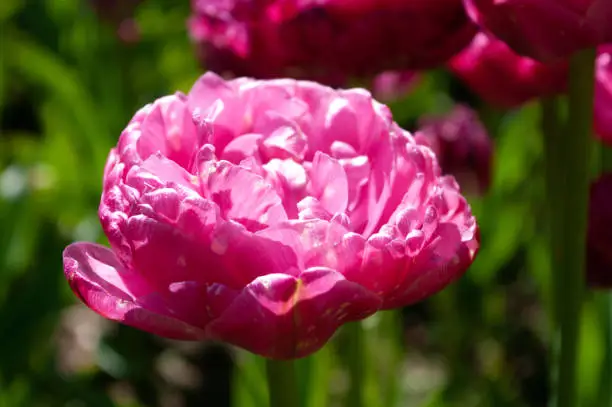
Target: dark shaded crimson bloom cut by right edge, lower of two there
[(599, 240)]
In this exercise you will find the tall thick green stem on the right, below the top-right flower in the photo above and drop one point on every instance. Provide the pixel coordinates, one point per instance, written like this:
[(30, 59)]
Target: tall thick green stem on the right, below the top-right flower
[(573, 165)]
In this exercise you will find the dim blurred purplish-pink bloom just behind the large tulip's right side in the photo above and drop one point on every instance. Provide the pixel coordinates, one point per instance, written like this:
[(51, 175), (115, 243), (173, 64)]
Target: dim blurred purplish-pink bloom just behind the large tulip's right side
[(462, 145)]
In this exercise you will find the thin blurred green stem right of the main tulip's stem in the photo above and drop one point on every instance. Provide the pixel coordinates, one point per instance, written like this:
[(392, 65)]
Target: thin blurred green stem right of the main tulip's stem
[(356, 356)]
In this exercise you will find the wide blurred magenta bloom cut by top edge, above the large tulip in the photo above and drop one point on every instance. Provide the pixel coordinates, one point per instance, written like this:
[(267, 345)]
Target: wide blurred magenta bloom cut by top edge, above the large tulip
[(330, 40)]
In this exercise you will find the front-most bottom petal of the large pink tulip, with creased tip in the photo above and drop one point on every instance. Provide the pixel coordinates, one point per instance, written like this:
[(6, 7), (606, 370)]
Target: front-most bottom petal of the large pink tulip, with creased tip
[(284, 317)]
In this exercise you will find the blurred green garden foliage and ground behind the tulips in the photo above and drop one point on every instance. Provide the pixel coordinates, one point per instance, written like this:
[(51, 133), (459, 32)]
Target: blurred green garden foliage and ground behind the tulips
[(70, 79)]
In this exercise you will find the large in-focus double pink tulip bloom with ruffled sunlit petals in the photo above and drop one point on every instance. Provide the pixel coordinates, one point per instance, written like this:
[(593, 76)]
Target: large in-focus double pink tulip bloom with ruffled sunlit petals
[(266, 214)]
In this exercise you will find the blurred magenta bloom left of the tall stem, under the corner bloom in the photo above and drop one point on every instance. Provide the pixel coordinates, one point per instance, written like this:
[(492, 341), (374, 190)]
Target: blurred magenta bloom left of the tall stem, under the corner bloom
[(503, 78)]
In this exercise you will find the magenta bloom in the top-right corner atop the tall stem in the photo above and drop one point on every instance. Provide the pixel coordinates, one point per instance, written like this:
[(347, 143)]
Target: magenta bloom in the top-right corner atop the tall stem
[(546, 30)]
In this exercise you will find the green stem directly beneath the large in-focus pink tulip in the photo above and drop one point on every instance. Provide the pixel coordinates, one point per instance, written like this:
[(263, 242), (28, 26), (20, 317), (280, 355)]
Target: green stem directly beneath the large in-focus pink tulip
[(282, 383)]
